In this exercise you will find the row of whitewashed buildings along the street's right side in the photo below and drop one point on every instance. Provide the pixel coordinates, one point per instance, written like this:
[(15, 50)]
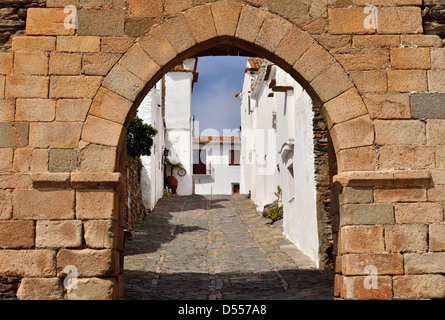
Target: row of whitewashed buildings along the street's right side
[(278, 150)]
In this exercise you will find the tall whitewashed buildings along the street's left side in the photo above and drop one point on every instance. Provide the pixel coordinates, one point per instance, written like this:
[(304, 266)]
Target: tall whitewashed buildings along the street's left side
[(167, 107)]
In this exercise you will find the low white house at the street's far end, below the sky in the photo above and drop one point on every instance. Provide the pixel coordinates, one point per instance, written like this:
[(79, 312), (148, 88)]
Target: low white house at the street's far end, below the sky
[(216, 165)]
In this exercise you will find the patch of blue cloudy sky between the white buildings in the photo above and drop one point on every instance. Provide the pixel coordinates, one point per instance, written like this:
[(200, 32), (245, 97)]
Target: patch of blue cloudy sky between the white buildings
[(213, 102)]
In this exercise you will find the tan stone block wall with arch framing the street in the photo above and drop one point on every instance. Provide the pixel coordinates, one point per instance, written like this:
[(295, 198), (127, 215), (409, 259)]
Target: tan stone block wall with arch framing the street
[(67, 96)]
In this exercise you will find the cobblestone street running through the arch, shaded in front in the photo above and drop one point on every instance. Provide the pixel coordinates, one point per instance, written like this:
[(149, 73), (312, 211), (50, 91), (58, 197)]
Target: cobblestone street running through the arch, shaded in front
[(216, 248)]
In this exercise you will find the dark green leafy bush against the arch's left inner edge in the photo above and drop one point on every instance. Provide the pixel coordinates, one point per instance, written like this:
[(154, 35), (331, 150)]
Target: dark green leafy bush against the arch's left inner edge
[(139, 138)]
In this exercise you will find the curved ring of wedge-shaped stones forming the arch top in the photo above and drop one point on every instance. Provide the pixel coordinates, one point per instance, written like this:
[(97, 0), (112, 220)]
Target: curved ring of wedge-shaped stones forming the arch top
[(237, 27)]
